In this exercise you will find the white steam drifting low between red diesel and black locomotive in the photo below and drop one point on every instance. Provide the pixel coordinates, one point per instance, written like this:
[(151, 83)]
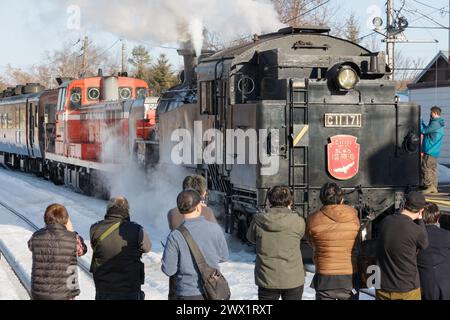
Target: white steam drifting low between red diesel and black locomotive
[(151, 195)]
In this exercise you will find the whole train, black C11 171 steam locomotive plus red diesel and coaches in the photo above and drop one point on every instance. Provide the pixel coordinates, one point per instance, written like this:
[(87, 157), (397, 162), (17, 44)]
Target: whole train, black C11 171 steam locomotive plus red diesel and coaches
[(297, 107)]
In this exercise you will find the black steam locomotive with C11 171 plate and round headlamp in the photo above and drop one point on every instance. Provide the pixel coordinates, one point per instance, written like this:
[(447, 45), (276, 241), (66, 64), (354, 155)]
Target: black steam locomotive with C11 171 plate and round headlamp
[(322, 109)]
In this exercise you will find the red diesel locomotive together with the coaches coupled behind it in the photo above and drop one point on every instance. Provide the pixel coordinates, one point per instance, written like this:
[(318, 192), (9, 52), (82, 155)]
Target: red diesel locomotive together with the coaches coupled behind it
[(62, 134)]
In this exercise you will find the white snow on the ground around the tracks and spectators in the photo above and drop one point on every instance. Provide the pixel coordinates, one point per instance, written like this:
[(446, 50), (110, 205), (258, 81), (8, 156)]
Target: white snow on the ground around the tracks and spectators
[(31, 195)]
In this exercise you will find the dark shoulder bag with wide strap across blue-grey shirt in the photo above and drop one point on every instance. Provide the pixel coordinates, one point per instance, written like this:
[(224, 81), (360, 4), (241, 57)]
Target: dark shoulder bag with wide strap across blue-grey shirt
[(214, 283)]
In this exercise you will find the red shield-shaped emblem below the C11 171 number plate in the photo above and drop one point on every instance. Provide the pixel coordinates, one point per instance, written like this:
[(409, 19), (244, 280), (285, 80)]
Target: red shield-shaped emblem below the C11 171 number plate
[(343, 157)]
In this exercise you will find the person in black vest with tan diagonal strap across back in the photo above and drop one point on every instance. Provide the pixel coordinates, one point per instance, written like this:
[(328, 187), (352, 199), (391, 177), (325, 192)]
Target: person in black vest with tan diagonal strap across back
[(118, 245)]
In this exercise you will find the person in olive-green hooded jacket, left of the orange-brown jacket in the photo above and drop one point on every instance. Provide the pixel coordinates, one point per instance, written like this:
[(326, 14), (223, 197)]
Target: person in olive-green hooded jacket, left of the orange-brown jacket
[(277, 233)]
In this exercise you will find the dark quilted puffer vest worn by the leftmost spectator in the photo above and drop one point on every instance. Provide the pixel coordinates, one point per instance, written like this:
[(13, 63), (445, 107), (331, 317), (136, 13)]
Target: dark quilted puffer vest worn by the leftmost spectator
[(54, 272)]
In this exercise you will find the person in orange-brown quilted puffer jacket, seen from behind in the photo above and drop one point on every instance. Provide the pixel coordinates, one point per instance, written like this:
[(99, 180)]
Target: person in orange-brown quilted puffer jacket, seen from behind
[(332, 232)]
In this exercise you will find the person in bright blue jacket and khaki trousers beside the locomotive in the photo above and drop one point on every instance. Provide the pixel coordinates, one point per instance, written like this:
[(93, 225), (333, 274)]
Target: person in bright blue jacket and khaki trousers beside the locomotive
[(433, 135)]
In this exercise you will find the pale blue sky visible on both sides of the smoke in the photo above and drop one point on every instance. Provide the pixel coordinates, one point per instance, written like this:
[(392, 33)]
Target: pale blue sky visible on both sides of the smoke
[(29, 28)]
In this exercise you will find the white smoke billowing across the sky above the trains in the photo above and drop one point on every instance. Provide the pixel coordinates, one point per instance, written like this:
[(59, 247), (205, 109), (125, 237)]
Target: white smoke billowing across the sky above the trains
[(170, 21)]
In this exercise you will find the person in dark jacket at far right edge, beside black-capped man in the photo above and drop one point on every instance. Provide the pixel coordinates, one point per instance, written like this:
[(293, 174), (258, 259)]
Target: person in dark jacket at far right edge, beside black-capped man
[(434, 262)]
